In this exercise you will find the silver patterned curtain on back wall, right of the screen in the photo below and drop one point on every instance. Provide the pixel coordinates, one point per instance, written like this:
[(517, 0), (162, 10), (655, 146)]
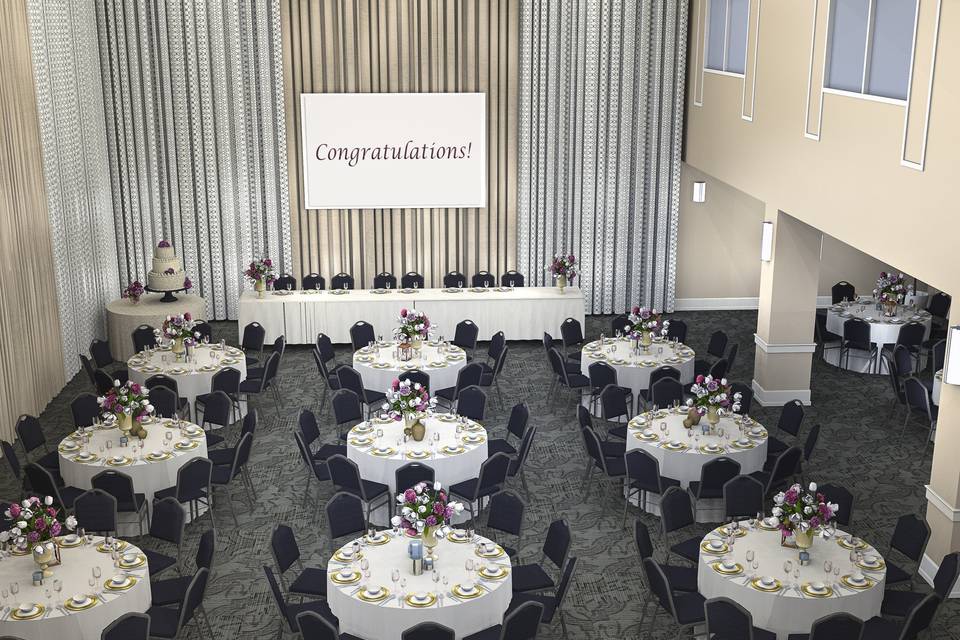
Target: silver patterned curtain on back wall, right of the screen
[(601, 116)]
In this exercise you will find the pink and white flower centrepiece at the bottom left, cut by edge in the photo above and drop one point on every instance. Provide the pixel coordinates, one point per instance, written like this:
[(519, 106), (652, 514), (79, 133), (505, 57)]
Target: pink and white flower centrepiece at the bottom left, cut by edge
[(37, 523)]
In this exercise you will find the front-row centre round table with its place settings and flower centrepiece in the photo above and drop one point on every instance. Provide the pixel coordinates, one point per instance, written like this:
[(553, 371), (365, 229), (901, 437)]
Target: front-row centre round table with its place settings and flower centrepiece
[(388, 581)]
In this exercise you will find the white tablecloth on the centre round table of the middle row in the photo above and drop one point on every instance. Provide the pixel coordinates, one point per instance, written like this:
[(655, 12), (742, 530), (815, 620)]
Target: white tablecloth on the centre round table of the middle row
[(449, 469)]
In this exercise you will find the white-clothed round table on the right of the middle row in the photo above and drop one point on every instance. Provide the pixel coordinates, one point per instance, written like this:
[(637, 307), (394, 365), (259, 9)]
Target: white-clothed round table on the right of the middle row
[(684, 463)]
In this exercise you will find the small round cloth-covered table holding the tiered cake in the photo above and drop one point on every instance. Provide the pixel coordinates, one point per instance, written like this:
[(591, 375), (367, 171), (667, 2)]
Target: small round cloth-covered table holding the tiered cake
[(123, 317)]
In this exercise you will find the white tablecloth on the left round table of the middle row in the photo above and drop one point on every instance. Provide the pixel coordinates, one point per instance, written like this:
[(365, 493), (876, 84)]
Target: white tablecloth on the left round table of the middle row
[(148, 477)]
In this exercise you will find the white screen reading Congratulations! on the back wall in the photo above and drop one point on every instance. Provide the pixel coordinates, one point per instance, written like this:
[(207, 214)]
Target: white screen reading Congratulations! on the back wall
[(390, 150)]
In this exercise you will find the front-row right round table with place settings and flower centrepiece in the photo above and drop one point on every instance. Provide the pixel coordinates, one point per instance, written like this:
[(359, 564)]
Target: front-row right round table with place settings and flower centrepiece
[(789, 578)]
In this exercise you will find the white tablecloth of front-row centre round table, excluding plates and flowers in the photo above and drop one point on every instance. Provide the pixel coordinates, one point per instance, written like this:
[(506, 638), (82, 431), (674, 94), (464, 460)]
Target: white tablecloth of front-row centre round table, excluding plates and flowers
[(387, 619)]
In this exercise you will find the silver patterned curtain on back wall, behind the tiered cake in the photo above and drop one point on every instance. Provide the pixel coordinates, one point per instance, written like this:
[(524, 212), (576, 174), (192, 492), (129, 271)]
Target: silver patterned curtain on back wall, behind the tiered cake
[(193, 99)]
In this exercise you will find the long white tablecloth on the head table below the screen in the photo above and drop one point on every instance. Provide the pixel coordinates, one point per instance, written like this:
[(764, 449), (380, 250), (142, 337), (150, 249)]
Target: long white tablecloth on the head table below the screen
[(523, 313)]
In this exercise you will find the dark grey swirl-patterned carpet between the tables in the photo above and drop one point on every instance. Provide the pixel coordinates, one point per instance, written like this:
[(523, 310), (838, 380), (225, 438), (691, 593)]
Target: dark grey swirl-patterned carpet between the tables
[(855, 449)]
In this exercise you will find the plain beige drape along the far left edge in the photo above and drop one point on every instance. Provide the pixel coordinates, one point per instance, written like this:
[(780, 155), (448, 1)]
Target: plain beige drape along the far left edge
[(31, 365)]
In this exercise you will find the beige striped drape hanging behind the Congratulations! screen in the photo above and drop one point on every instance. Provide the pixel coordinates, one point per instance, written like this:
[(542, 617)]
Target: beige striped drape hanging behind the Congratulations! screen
[(386, 46)]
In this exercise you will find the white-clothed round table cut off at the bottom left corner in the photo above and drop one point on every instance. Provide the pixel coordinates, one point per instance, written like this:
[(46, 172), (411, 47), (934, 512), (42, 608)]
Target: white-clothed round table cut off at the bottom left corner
[(74, 571)]
